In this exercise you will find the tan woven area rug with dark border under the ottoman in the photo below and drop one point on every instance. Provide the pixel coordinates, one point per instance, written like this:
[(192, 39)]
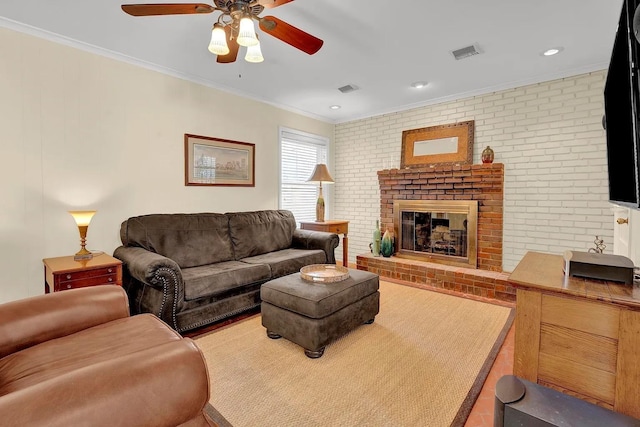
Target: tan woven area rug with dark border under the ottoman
[(421, 363)]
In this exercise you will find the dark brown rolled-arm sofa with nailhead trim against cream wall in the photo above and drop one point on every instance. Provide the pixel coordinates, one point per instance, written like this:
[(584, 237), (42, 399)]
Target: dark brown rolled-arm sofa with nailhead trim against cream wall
[(194, 269)]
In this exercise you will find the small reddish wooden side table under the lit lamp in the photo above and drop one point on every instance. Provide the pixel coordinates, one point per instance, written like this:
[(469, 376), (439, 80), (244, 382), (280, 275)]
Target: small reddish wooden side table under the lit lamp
[(63, 273)]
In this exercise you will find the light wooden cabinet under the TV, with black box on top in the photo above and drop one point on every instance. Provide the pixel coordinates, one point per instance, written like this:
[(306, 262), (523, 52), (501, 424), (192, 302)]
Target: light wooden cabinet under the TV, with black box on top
[(577, 335)]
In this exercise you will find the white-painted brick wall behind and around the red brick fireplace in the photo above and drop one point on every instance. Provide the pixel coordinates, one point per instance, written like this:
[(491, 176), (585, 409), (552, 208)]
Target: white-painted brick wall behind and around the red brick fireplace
[(549, 137)]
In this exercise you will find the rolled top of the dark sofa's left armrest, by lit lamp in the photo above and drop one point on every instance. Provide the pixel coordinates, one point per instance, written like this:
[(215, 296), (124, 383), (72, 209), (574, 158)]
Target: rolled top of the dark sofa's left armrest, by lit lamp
[(145, 266)]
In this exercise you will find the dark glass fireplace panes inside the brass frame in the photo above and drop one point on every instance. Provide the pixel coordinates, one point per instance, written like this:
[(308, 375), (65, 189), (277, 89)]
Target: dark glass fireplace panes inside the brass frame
[(435, 232)]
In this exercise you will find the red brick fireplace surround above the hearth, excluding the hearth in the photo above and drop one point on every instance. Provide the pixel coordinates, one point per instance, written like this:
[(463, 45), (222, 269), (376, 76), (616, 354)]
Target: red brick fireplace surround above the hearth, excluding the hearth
[(483, 183)]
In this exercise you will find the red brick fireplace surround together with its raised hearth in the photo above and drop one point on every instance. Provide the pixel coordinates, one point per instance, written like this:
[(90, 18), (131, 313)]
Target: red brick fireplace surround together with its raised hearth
[(483, 183)]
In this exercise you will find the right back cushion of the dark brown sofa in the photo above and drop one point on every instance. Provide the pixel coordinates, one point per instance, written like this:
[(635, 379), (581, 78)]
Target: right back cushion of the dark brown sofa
[(256, 233)]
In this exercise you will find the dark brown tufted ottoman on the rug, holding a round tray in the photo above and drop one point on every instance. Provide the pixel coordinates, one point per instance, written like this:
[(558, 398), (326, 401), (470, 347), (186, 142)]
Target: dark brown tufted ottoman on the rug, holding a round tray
[(313, 314)]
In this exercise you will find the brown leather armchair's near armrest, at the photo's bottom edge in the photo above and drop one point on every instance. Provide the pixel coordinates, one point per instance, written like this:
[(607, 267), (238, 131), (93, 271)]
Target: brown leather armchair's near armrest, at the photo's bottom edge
[(166, 385)]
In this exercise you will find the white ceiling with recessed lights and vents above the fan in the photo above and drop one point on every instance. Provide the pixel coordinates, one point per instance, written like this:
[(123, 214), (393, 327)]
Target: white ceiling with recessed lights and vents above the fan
[(379, 46)]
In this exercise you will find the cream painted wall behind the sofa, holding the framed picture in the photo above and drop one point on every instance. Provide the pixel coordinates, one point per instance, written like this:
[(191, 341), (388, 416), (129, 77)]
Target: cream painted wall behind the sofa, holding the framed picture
[(82, 131)]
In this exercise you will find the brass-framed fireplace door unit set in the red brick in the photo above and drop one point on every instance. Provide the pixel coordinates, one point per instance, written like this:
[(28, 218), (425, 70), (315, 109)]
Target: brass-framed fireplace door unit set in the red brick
[(442, 231)]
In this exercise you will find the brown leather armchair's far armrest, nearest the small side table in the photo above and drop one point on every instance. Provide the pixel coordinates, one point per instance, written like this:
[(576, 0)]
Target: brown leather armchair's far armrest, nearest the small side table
[(30, 321)]
